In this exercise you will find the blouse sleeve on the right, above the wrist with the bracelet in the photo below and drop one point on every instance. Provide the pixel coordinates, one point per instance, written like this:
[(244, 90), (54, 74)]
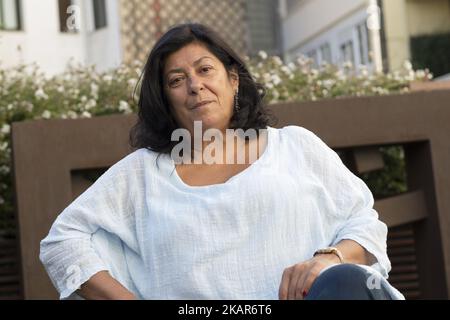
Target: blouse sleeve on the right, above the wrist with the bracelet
[(352, 202)]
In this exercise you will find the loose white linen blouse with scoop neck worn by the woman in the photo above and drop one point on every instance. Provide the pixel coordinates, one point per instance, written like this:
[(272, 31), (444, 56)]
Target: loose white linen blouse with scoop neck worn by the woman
[(164, 239)]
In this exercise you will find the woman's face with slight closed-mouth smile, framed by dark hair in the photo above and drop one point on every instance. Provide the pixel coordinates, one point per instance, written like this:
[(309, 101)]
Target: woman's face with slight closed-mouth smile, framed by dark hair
[(199, 88)]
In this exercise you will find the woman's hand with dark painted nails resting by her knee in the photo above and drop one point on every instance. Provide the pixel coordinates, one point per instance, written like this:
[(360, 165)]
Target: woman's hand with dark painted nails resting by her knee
[(298, 279)]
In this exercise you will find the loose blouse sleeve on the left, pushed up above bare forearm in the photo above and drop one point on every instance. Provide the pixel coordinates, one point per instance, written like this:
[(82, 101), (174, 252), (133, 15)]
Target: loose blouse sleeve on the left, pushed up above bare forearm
[(67, 252)]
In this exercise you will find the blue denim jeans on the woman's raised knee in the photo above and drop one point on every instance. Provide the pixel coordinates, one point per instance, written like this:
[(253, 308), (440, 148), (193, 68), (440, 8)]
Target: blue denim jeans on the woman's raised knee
[(349, 282)]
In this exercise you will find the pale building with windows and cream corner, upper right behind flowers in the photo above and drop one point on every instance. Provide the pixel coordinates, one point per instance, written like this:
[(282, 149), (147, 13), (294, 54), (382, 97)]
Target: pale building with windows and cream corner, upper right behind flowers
[(336, 31)]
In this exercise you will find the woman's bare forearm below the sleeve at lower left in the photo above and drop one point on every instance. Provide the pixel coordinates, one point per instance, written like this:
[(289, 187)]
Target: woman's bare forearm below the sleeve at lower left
[(102, 286)]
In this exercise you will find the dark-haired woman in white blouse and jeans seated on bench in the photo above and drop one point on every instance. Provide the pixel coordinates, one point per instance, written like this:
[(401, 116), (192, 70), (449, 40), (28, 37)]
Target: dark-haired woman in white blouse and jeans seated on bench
[(290, 223)]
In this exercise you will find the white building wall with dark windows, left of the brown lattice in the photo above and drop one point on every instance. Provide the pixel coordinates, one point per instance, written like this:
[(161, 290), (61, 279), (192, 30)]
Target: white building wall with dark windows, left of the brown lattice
[(51, 33)]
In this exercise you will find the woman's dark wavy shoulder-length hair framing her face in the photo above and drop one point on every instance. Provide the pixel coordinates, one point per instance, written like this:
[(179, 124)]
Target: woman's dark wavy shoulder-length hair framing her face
[(156, 123)]
